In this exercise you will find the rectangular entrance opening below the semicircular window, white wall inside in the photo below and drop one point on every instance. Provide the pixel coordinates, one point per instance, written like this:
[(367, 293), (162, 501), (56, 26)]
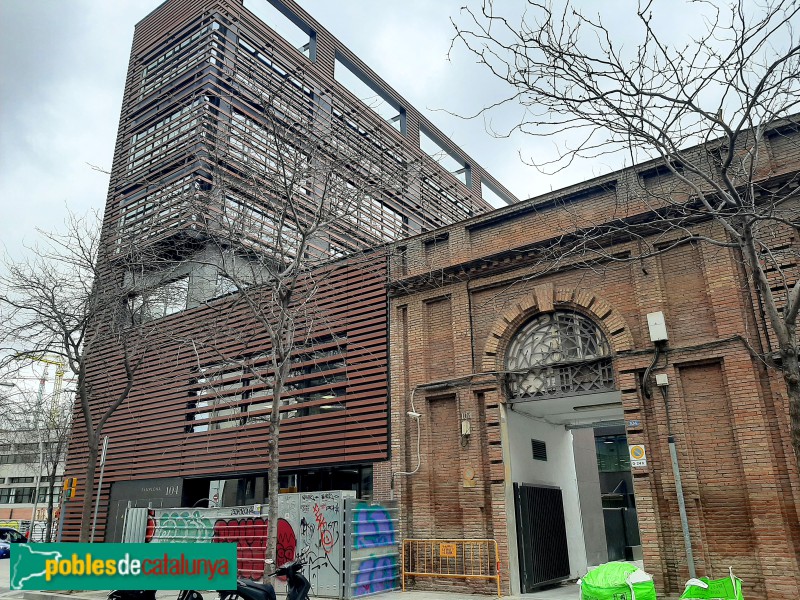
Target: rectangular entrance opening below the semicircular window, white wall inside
[(577, 447)]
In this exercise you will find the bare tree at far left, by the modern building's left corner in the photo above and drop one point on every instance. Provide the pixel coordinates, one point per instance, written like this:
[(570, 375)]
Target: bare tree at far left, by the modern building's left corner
[(88, 303)]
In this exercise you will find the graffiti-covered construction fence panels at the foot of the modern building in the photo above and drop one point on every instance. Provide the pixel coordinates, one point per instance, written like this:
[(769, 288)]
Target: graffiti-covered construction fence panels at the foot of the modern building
[(351, 545)]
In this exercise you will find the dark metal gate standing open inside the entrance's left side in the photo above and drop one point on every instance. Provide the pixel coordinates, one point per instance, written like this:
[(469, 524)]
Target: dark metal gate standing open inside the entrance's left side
[(541, 536)]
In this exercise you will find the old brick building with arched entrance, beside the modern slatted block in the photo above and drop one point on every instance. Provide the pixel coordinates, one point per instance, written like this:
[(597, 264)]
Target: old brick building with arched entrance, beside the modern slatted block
[(528, 373)]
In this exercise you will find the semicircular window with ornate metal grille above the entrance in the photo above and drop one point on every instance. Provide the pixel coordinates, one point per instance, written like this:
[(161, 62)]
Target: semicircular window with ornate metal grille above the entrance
[(559, 354)]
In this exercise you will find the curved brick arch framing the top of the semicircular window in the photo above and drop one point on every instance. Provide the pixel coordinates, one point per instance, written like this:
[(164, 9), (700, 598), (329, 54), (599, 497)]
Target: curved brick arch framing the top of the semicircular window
[(547, 298)]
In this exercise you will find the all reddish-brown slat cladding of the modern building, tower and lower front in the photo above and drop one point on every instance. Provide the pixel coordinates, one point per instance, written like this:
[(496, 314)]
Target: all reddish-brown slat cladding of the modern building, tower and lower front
[(192, 110)]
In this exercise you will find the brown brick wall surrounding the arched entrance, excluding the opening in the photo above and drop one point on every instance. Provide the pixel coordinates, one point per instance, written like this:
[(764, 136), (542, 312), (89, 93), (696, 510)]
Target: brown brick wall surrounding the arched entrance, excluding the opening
[(727, 410)]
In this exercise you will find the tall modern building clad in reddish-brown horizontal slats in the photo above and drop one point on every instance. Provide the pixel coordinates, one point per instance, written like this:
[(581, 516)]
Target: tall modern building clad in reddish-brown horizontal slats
[(218, 93)]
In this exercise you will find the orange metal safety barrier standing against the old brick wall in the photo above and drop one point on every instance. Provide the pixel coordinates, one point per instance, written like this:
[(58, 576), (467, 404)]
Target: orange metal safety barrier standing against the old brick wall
[(460, 559)]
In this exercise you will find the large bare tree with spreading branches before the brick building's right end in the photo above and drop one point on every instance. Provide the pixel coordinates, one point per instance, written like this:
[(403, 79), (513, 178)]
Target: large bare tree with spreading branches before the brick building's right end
[(711, 111)]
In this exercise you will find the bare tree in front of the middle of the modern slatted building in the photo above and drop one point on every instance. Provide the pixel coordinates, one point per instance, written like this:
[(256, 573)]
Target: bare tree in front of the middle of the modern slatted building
[(291, 199)]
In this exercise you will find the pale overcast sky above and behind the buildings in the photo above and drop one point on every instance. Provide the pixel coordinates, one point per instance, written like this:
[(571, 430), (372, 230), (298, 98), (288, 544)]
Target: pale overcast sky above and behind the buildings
[(63, 66)]
